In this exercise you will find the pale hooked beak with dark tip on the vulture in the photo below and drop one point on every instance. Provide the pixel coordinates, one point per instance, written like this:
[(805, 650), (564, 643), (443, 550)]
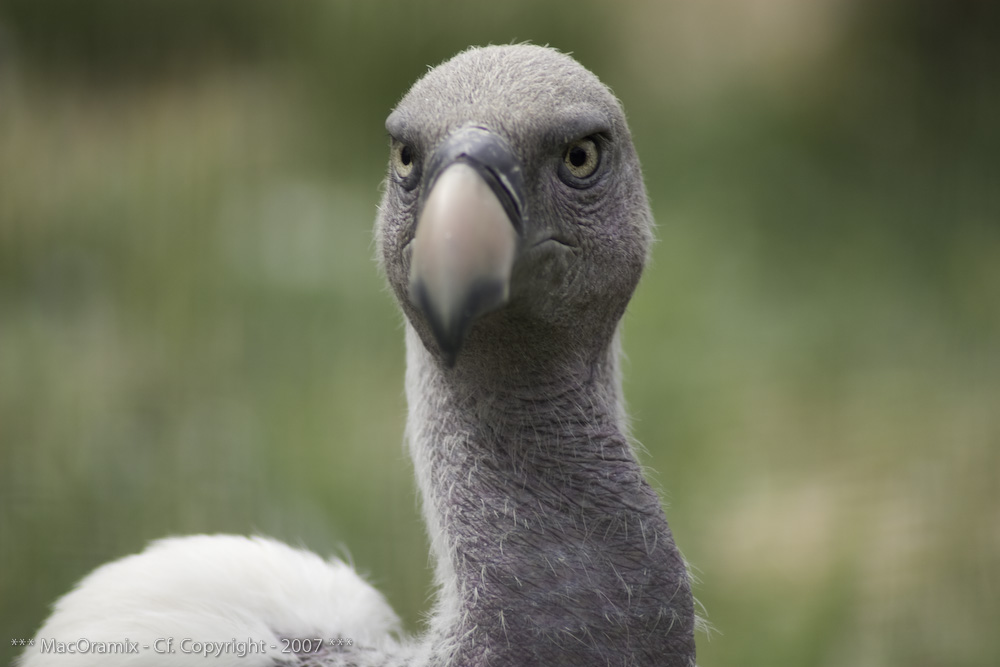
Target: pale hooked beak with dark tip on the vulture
[(468, 231)]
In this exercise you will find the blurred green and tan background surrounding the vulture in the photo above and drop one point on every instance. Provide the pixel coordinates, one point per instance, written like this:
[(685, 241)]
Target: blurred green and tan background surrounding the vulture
[(194, 336)]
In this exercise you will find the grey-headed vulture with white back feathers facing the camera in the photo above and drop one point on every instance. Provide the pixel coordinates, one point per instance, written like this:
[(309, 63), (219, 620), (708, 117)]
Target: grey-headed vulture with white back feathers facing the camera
[(513, 229)]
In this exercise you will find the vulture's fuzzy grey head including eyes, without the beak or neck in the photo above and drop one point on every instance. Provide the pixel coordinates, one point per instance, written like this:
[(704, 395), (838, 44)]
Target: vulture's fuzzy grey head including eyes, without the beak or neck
[(584, 239)]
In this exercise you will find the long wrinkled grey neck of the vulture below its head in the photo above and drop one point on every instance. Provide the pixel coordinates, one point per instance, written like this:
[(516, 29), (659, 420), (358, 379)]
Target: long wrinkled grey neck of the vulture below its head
[(550, 546)]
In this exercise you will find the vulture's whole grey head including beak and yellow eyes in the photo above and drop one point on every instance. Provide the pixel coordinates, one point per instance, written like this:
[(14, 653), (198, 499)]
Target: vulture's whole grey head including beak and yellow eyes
[(514, 224)]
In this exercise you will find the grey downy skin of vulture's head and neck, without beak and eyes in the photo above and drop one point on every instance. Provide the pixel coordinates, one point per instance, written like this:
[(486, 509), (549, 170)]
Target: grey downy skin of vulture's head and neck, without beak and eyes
[(551, 548)]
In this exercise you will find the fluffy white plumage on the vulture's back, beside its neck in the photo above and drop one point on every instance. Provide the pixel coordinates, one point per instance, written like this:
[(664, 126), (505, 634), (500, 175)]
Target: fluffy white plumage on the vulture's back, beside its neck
[(212, 588)]
